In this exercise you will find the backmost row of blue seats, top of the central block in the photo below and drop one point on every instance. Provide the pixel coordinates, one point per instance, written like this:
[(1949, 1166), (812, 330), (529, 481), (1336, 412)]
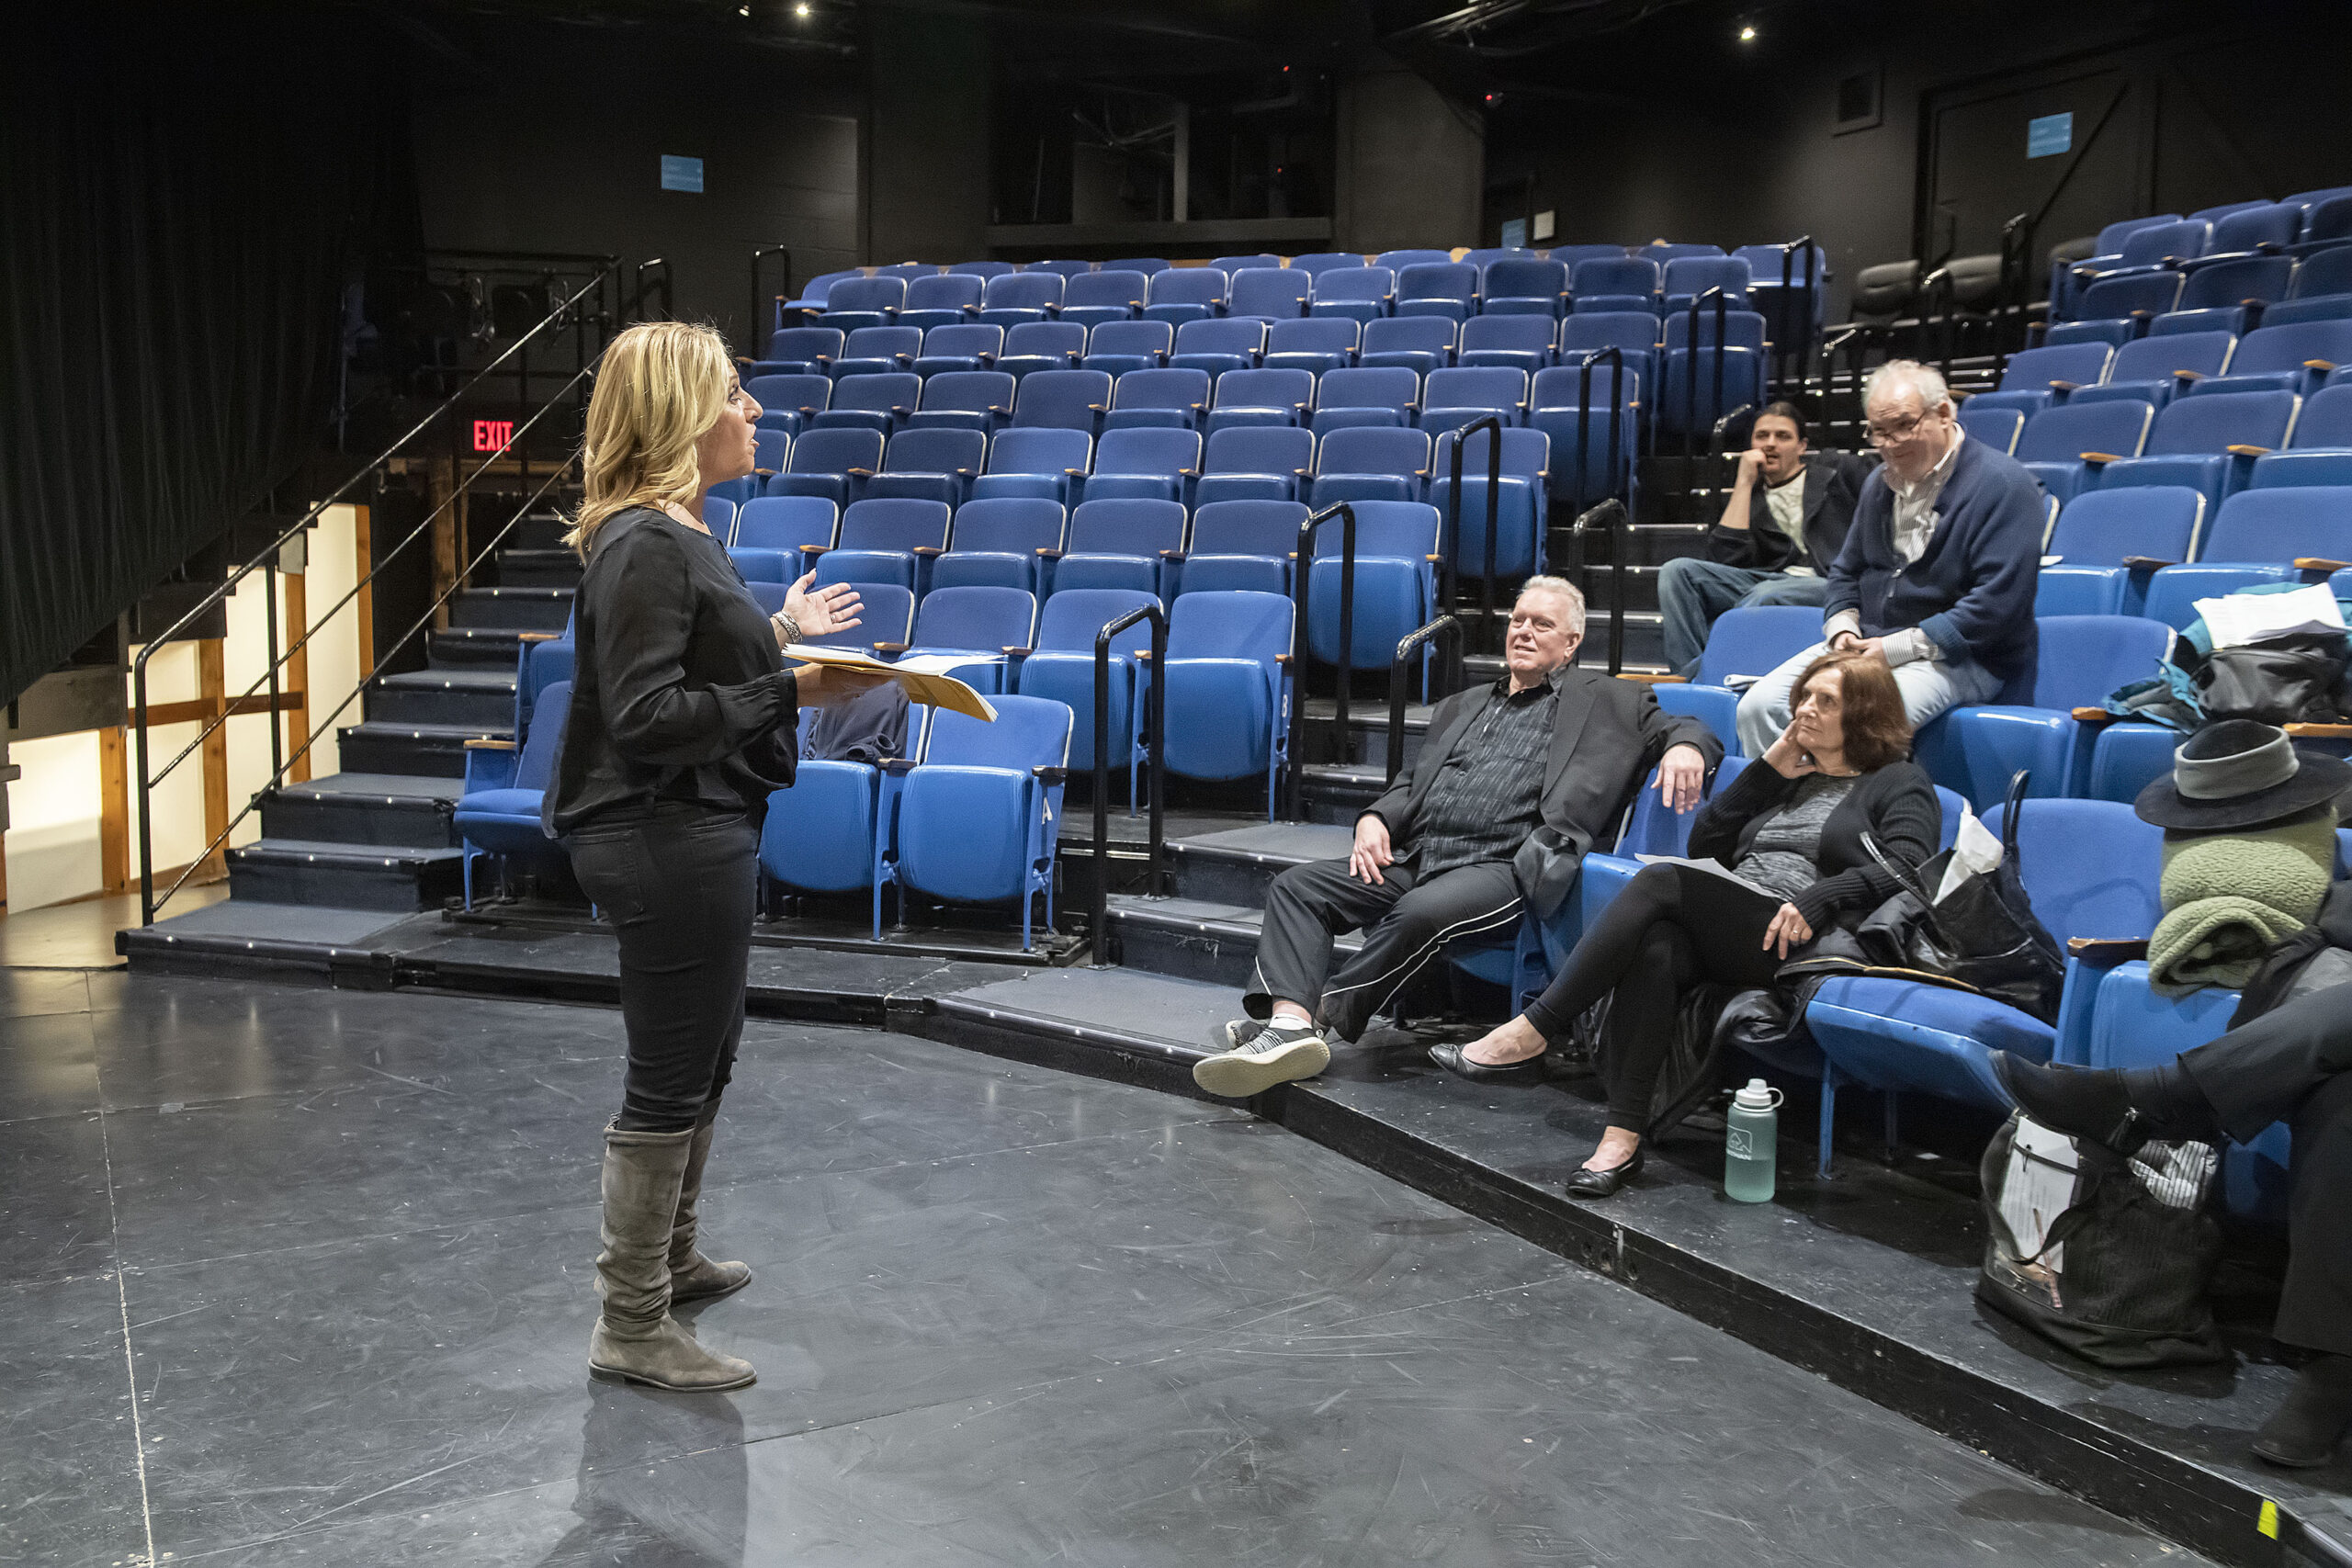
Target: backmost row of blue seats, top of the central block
[(1448, 290)]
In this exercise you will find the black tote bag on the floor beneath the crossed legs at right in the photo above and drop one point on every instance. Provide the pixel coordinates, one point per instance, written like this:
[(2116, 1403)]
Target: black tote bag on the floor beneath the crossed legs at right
[(2104, 1254)]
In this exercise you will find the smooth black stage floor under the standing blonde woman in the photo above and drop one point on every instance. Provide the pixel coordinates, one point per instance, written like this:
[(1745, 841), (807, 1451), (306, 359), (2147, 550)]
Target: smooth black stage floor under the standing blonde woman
[(305, 1275)]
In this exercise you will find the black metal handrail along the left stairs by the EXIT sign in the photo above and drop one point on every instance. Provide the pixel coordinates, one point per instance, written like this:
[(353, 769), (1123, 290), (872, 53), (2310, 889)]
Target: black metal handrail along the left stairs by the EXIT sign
[(267, 563)]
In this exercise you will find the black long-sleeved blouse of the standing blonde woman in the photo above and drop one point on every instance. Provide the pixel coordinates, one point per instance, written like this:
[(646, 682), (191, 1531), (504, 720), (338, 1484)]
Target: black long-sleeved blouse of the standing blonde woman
[(679, 688)]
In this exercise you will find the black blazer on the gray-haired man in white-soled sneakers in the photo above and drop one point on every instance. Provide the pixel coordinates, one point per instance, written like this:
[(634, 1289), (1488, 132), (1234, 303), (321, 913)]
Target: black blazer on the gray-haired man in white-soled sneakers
[(1608, 735)]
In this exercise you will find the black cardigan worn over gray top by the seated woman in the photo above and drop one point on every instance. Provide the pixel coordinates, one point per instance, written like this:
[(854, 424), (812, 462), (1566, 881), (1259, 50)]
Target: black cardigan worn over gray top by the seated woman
[(1897, 805)]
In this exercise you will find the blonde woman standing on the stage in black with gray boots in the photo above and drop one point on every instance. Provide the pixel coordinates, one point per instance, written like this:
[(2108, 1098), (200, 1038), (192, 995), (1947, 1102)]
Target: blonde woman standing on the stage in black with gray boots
[(683, 718)]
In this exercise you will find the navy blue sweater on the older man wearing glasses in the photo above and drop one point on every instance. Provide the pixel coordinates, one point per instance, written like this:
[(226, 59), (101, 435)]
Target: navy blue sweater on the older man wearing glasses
[(1975, 589)]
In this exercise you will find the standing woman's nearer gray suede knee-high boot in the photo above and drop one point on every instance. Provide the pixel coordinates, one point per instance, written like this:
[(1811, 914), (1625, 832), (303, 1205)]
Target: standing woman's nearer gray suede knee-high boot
[(636, 1336)]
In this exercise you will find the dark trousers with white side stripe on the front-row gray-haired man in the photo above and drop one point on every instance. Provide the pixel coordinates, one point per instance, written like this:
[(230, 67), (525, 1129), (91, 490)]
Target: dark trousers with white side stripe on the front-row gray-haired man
[(1405, 925)]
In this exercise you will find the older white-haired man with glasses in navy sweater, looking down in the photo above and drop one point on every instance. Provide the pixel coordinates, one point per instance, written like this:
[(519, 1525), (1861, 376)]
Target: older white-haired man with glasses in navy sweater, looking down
[(1939, 570)]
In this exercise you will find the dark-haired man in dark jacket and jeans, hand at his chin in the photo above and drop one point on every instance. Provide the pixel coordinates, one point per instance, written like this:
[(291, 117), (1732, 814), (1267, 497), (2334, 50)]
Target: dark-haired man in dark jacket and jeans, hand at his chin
[(1782, 528)]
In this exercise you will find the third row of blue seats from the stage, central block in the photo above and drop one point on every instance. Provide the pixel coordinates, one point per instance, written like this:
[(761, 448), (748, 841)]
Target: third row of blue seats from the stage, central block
[(918, 551)]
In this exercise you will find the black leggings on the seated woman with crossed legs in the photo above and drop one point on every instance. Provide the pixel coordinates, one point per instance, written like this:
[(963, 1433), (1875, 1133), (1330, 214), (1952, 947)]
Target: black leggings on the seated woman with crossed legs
[(1671, 930)]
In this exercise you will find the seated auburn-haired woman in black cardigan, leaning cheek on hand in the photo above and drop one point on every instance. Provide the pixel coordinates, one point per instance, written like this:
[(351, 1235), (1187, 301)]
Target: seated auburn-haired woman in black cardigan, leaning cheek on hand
[(1791, 829)]
